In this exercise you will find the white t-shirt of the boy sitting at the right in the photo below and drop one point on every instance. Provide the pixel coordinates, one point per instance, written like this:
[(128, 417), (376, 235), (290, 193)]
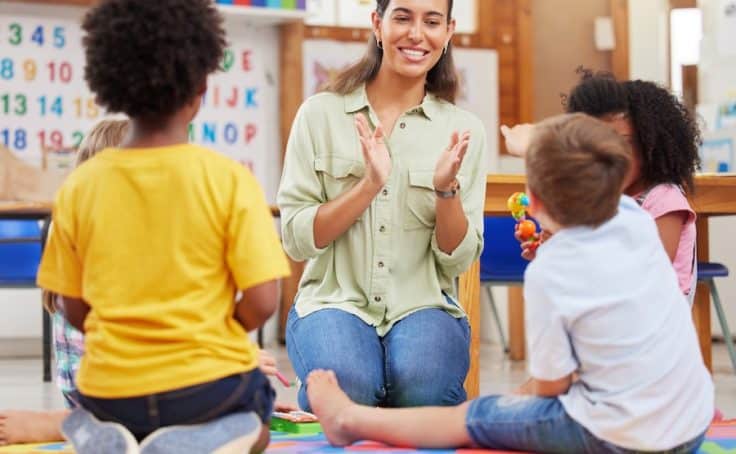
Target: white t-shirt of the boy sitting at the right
[(605, 303)]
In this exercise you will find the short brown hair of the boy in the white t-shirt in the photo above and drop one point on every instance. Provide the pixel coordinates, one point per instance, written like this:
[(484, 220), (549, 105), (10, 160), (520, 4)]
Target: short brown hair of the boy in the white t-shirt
[(576, 166)]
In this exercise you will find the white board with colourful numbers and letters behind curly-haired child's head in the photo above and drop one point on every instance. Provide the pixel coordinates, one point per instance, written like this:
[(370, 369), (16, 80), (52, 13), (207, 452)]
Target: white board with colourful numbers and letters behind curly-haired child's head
[(45, 103)]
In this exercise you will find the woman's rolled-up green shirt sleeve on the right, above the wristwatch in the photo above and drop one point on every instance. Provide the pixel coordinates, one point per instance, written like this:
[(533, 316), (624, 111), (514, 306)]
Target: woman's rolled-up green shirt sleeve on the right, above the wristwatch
[(473, 198)]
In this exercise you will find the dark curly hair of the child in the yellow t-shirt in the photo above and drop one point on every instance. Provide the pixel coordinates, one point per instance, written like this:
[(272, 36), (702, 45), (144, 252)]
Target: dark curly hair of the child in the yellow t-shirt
[(148, 58)]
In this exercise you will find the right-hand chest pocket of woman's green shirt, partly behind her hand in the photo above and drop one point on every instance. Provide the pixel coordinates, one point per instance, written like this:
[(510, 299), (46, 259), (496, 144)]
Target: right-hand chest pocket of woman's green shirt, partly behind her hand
[(421, 211)]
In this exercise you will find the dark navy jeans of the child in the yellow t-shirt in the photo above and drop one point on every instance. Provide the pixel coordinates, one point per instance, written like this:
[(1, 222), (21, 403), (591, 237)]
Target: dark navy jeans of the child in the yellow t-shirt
[(246, 392)]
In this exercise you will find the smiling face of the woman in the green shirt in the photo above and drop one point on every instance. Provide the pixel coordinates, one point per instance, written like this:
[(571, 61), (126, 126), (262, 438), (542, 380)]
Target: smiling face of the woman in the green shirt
[(413, 34)]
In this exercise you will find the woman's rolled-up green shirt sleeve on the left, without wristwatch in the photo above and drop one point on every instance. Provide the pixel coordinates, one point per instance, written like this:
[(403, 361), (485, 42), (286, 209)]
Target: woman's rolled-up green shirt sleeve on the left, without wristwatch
[(300, 192)]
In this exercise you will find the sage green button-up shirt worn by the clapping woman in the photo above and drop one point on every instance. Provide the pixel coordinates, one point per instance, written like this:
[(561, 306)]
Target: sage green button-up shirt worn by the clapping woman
[(387, 265)]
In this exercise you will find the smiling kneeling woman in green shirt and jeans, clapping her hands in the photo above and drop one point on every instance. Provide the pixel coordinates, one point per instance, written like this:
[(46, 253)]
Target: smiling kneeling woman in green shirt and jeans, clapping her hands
[(382, 194)]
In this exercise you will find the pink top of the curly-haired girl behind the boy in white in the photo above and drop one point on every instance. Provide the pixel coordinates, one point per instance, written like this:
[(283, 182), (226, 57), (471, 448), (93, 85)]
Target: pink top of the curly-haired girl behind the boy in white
[(668, 198)]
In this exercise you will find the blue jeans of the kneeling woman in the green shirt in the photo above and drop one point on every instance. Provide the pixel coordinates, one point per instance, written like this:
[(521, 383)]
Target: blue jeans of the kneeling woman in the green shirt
[(423, 360)]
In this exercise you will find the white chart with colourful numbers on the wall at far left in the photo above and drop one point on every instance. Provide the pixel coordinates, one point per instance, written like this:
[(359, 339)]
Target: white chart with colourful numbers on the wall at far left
[(44, 102)]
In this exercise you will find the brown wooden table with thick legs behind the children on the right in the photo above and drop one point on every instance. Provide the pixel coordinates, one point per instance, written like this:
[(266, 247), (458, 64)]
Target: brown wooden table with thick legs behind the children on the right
[(714, 196)]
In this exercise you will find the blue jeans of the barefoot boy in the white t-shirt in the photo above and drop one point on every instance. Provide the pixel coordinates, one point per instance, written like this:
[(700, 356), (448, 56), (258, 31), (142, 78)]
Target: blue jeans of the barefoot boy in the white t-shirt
[(536, 424)]
